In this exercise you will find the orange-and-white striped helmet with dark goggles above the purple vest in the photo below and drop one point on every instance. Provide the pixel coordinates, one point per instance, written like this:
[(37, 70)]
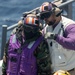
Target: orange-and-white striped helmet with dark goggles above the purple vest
[(31, 24)]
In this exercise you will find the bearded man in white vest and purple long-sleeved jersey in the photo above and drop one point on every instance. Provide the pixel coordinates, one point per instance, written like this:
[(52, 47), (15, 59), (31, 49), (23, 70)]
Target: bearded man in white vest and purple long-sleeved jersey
[(60, 34)]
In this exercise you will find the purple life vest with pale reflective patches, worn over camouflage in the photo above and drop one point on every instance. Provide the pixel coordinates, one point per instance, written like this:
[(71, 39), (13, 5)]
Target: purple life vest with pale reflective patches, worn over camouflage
[(21, 60)]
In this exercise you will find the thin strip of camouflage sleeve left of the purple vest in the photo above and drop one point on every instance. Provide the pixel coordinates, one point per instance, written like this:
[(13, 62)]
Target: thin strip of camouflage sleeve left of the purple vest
[(4, 64)]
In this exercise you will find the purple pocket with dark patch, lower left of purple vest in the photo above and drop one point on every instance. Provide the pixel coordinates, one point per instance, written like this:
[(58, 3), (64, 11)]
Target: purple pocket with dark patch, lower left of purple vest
[(13, 63)]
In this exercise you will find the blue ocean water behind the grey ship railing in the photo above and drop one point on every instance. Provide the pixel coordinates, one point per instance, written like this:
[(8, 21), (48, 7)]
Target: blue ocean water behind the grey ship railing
[(11, 11)]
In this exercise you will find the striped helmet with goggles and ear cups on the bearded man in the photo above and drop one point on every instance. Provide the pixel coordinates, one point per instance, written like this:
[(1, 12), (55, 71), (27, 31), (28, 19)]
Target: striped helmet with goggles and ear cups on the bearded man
[(47, 8)]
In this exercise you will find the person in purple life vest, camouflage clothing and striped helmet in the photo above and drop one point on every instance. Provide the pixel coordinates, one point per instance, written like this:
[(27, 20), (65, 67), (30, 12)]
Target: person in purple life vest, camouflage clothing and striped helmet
[(26, 52)]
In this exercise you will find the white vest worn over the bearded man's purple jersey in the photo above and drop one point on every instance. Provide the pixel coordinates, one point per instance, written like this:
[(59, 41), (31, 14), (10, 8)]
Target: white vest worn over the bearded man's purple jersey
[(61, 57)]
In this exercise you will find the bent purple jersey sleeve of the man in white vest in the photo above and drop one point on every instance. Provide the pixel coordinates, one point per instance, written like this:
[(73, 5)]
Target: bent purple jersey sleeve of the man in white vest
[(68, 41)]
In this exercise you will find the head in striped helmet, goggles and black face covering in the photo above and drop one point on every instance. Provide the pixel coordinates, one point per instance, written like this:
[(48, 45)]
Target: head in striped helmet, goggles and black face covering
[(31, 26)]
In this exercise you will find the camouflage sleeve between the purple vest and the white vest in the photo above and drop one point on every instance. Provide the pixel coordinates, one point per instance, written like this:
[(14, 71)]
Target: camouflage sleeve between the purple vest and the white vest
[(43, 58)]
